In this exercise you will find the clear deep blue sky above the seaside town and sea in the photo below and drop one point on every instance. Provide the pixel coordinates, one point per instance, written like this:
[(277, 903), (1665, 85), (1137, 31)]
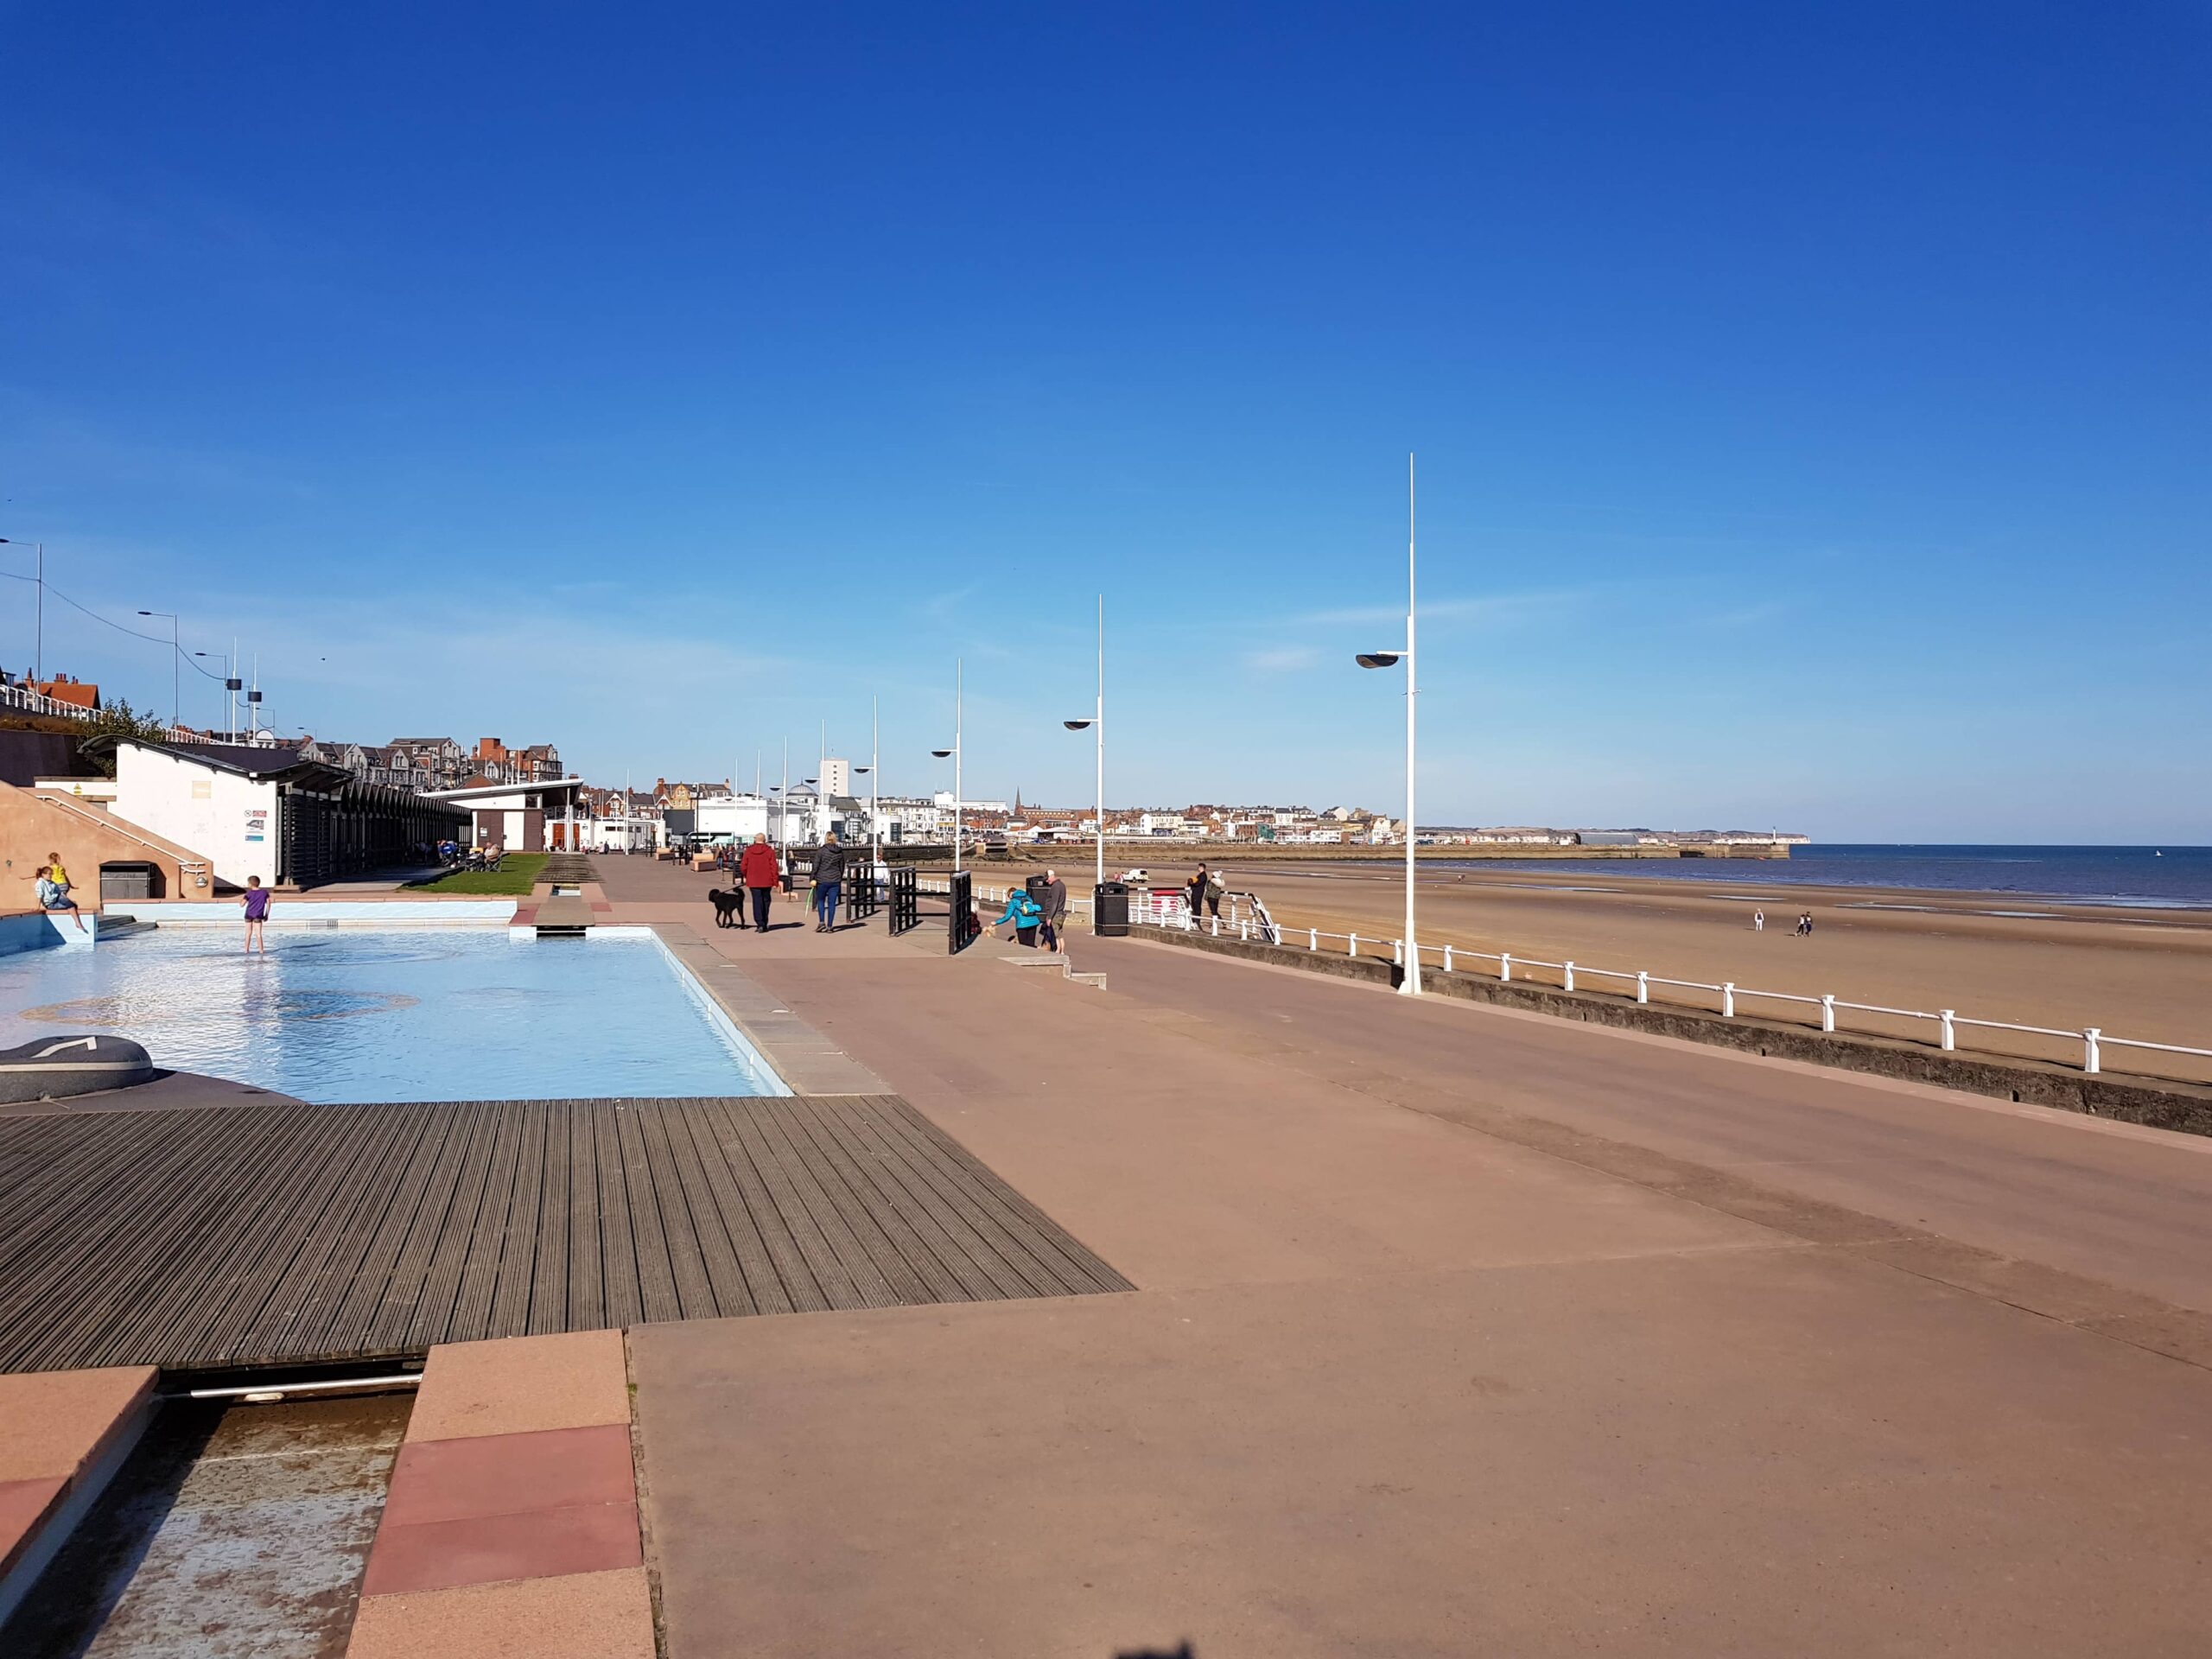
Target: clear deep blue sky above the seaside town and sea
[(1813, 406)]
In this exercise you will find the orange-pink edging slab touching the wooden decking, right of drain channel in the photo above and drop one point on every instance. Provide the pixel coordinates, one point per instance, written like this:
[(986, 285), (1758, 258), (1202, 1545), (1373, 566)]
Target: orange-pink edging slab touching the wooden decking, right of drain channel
[(521, 1386)]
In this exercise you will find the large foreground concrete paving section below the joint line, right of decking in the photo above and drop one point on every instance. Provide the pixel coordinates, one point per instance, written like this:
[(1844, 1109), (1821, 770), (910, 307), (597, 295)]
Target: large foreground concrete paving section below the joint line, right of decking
[(1780, 1452)]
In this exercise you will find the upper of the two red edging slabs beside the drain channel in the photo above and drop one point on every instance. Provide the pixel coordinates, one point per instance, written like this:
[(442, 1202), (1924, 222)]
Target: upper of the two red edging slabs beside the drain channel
[(505, 1474)]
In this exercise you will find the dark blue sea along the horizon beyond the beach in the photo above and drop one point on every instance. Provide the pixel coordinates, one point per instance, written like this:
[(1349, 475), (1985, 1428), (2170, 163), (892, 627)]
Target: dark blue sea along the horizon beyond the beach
[(2151, 877)]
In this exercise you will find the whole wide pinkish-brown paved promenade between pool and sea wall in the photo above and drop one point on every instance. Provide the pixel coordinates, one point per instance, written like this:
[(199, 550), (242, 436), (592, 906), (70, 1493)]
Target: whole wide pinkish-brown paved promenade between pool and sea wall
[(1454, 1333)]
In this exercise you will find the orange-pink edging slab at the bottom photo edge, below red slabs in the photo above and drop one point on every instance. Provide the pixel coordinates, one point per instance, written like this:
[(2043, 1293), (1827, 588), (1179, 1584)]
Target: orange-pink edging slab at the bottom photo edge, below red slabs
[(585, 1616)]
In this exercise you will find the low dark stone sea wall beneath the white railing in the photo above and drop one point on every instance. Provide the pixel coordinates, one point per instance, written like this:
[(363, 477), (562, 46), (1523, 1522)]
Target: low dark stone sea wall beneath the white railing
[(2129, 1100)]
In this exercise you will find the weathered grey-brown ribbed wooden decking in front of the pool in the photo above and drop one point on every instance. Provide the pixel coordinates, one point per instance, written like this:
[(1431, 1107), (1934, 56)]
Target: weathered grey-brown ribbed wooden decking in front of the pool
[(284, 1233)]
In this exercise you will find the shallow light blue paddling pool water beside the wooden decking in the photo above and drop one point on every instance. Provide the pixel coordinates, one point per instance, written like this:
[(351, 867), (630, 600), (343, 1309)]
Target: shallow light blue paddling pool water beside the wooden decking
[(393, 1014)]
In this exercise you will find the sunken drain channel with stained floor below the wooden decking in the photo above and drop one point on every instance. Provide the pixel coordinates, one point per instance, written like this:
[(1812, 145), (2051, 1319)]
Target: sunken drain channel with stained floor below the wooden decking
[(238, 1525)]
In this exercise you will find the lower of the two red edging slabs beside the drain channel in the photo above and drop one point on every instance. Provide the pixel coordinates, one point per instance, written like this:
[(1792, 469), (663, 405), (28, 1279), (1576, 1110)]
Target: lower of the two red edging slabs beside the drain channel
[(488, 1550)]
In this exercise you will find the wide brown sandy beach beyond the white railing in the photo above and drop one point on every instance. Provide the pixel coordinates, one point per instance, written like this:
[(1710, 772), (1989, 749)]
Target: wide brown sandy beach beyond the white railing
[(1987, 957)]
